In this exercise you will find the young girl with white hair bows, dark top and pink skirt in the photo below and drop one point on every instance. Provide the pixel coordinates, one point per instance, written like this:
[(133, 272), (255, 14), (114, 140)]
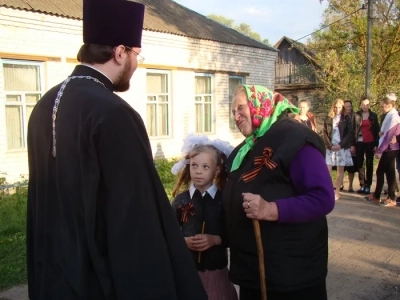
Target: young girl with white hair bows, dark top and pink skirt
[(199, 212)]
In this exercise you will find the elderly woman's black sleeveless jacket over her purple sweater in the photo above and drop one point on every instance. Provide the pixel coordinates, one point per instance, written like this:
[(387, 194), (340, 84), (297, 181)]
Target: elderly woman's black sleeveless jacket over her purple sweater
[(295, 254)]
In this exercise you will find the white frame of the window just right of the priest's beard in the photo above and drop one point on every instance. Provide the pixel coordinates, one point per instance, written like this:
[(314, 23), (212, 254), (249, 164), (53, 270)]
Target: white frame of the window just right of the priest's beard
[(157, 102)]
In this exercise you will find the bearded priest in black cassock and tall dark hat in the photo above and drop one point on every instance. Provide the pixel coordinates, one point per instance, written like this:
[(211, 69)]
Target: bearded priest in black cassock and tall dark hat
[(99, 223)]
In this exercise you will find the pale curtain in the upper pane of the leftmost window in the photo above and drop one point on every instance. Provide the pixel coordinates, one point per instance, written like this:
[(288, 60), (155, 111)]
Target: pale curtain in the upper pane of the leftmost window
[(21, 77)]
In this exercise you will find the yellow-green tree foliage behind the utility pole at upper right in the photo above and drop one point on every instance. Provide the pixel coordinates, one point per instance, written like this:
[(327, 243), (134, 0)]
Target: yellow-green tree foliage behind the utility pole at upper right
[(341, 49)]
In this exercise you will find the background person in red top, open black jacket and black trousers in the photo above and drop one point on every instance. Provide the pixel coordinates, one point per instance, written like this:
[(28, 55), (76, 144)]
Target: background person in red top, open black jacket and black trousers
[(367, 141)]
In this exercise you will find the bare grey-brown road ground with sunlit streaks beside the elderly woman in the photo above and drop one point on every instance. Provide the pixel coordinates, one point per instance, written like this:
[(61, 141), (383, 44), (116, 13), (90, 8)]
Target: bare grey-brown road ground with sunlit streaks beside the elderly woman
[(364, 252)]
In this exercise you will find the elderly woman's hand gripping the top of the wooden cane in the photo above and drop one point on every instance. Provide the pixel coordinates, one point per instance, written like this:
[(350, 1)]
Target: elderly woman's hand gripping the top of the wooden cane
[(257, 208)]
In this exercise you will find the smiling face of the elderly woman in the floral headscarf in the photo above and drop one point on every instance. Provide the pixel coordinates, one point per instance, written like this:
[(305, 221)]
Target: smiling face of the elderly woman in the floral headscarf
[(241, 112)]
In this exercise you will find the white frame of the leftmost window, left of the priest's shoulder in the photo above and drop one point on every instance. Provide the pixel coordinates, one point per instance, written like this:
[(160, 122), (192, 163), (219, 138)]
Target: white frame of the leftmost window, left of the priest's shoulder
[(24, 104)]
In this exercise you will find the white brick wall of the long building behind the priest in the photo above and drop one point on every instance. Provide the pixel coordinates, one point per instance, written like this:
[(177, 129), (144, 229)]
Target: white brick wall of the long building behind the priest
[(35, 34)]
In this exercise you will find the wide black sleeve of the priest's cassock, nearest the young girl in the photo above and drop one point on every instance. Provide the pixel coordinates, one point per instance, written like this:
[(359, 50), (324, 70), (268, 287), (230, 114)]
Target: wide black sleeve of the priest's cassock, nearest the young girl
[(147, 253)]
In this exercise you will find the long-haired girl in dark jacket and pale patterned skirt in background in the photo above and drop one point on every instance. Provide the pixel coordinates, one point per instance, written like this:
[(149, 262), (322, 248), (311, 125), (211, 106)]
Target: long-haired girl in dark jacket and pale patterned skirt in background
[(337, 135)]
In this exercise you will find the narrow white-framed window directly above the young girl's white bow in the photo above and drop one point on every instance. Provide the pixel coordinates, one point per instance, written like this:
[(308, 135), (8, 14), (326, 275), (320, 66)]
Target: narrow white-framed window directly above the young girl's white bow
[(203, 104)]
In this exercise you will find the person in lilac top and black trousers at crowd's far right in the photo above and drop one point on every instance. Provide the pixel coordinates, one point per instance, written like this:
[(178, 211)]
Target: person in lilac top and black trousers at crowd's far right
[(387, 151)]
